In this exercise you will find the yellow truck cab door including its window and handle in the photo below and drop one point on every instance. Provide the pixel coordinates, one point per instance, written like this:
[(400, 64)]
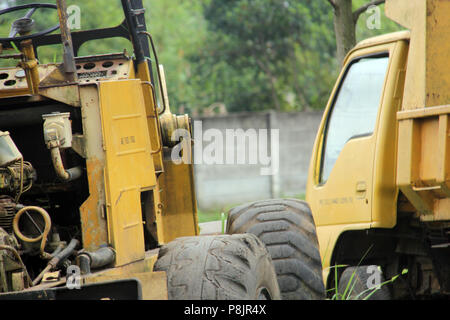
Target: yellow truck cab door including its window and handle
[(341, 192)]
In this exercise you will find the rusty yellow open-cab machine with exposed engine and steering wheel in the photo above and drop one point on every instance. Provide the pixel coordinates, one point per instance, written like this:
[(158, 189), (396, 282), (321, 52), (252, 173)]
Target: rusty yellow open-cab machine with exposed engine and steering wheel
[(88, 190)]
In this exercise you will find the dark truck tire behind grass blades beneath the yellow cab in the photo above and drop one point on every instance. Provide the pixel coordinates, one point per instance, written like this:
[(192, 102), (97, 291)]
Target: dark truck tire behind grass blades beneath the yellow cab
[(360, 280)]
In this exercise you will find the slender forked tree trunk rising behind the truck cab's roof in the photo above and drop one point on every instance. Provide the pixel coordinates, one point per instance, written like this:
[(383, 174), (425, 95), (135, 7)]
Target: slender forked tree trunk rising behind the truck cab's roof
[(344, 27)]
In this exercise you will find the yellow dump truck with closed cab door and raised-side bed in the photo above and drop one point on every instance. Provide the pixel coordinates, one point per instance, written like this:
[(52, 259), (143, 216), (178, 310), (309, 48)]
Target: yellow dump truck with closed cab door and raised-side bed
[(379, 177)]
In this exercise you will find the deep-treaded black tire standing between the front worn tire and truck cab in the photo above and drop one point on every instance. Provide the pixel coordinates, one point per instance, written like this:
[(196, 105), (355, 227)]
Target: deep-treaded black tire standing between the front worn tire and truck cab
[(288, 230)]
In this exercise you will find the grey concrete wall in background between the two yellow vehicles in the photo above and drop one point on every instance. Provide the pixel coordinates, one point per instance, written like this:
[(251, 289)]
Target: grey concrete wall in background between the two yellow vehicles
[(221, 185)]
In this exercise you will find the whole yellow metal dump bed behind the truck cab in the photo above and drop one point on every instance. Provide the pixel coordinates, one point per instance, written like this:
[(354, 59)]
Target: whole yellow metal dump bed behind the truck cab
[(423, 172)]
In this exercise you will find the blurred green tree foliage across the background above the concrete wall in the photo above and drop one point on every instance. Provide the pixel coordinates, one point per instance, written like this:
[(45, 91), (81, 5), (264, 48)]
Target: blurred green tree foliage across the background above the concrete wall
[(245, 55)]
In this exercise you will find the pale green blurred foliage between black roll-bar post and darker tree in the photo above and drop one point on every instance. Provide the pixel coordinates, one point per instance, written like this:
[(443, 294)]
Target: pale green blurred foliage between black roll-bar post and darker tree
[(179, 30)]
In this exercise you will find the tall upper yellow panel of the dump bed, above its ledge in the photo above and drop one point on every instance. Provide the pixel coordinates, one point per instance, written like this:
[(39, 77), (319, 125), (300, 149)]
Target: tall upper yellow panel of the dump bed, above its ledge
[(428, 76)]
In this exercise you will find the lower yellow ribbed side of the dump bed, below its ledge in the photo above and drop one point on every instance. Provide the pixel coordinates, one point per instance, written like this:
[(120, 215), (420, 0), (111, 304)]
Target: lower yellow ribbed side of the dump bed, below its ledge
[(424, 166)]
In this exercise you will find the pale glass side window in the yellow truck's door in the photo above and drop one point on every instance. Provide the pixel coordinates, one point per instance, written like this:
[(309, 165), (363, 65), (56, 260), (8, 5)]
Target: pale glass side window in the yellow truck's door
[(355, 108)]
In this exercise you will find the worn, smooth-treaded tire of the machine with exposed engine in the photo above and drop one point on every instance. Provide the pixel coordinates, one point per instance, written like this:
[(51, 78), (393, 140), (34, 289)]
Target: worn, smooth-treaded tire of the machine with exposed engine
[(220, 267)]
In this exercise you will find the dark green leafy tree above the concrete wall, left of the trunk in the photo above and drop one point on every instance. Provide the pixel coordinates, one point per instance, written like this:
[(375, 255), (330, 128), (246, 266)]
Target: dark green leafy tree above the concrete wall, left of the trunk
[(258, 52)]
